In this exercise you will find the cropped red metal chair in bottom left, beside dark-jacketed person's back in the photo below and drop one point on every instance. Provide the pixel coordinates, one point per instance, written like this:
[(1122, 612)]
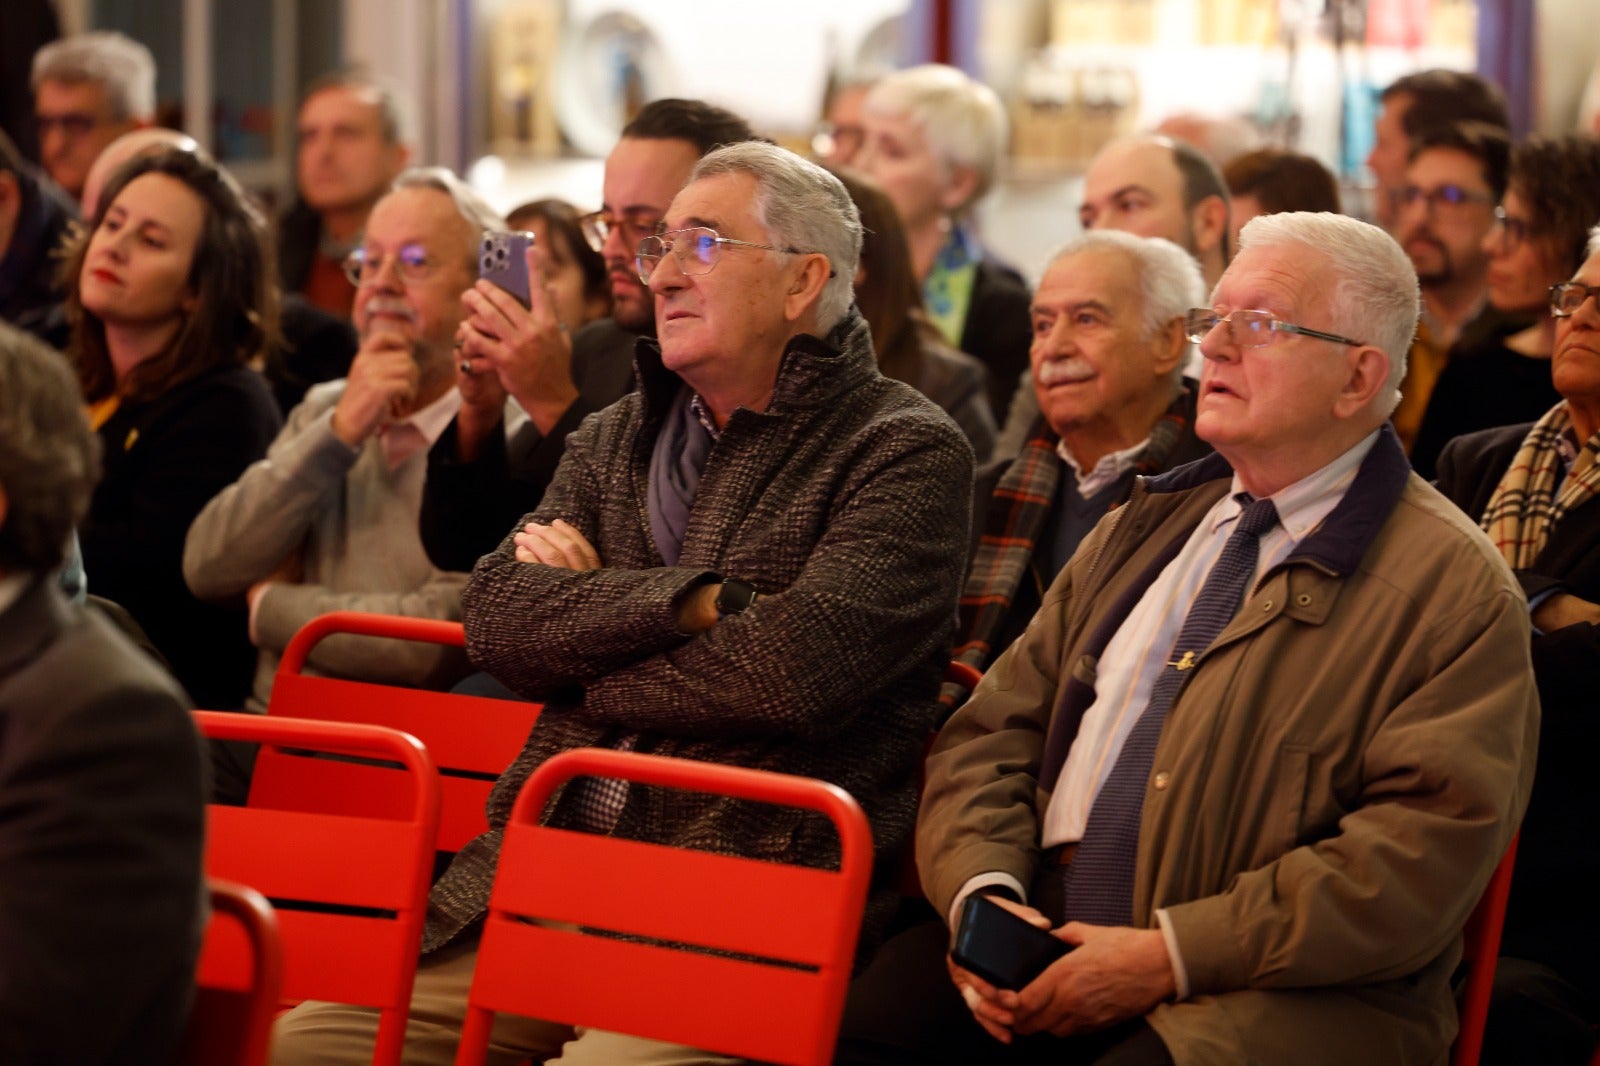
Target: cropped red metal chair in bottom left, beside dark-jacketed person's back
[(236, 984)]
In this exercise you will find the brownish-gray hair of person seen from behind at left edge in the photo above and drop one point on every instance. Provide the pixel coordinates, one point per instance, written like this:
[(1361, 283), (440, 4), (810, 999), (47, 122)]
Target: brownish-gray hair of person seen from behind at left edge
[(49, 457)]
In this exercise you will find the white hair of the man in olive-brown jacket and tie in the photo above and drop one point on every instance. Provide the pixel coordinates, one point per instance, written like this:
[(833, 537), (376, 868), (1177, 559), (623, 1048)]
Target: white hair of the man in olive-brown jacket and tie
[(1377, 299)]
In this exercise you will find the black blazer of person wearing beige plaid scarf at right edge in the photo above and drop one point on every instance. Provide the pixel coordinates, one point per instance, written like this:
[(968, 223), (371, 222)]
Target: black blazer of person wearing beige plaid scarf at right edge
[(1553, 918)]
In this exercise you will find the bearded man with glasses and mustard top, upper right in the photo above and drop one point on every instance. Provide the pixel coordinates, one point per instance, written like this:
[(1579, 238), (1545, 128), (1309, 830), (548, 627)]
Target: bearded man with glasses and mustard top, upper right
[(1447, 209)]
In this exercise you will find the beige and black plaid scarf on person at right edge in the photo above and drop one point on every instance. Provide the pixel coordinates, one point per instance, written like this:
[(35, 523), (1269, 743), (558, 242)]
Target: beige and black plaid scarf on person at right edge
[(1532, 497)]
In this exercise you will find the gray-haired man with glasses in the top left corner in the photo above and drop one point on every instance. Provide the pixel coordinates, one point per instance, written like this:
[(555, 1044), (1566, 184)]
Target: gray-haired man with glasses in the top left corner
[(89, 90)]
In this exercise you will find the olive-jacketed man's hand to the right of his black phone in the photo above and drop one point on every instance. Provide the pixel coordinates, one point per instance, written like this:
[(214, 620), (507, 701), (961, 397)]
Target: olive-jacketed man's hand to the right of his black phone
[(1116, 974)]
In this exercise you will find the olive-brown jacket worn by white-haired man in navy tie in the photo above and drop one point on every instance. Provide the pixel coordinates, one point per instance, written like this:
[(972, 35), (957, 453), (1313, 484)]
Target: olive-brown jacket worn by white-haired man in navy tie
[(1334, 785)]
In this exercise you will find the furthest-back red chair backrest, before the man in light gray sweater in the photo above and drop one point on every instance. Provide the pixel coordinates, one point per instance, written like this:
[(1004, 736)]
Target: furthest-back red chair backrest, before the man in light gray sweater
[(471, 739)]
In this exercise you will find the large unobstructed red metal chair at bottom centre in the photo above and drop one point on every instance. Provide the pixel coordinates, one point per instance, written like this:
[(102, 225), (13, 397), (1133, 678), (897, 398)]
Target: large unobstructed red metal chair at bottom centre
[(794, 926)]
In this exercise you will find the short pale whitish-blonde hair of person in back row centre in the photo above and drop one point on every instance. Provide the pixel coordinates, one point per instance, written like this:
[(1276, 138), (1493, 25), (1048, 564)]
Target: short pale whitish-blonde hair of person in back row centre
[(964, 121)]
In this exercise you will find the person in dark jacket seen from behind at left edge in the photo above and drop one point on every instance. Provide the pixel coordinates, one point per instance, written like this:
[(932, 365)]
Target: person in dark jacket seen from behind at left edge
[(102, 799)]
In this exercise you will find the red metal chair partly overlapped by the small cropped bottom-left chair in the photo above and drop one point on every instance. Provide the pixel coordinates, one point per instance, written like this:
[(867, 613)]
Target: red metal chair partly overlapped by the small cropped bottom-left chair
[(367, 875)]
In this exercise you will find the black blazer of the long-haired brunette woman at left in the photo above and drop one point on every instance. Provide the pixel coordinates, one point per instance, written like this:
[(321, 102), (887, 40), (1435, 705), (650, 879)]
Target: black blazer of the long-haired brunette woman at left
[(162, 463)]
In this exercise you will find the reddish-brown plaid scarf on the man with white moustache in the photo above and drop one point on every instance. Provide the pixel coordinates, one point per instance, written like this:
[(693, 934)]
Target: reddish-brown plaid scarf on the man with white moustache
[(1017, 518)]
